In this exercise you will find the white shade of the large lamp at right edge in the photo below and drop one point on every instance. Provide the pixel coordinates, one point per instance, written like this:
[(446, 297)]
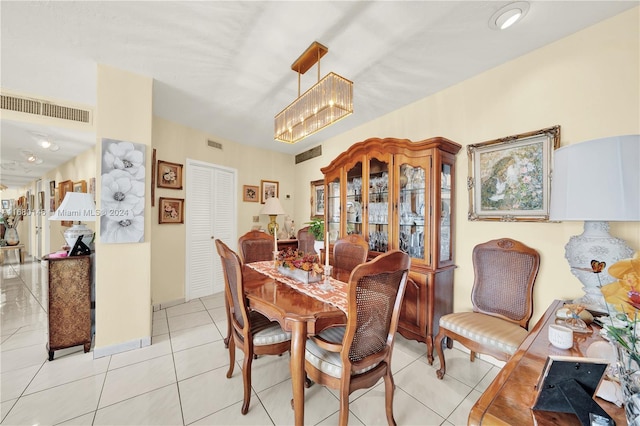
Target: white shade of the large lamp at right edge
[(597, 180)]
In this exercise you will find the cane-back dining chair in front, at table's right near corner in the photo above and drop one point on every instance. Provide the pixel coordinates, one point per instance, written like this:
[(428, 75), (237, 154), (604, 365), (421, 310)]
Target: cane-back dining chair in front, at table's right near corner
[(357, 355)]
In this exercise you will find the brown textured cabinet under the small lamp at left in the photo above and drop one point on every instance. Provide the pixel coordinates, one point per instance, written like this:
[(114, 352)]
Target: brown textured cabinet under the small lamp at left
[(69, 303)]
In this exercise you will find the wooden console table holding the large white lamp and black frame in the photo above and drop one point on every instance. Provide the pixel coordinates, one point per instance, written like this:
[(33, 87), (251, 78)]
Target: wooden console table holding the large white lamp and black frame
[(509, 398)]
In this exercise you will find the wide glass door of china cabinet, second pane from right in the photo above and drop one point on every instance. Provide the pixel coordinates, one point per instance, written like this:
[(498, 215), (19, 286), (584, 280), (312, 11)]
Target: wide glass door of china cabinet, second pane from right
[(412, 203)]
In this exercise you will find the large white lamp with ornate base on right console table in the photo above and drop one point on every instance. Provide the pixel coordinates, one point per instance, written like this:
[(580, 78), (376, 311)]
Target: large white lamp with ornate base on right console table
[(597, 181)]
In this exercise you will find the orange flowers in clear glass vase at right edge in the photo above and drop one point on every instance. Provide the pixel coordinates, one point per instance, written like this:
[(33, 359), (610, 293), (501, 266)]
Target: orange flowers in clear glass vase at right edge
[(623, 329)]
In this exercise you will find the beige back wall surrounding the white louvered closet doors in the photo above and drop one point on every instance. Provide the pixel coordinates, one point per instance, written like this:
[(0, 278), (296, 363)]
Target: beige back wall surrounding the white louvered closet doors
[(176, 143)]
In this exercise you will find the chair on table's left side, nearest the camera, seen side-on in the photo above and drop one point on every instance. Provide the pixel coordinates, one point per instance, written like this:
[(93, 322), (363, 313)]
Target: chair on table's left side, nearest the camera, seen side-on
[(252, 332)]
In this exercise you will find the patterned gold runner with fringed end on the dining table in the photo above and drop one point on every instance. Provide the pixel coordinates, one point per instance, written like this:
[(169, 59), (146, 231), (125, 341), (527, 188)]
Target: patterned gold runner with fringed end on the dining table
[(336, 297)]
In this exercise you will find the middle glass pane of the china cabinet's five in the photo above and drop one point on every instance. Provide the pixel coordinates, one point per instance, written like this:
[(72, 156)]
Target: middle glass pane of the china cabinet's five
[(378, 208)]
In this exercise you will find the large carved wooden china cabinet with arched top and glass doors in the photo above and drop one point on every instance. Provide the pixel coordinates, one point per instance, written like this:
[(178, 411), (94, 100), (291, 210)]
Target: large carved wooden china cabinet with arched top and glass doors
[(399, 195)]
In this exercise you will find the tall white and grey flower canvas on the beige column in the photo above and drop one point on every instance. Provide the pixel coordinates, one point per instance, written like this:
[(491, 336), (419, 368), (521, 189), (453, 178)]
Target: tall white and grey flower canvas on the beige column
[(123, 192)]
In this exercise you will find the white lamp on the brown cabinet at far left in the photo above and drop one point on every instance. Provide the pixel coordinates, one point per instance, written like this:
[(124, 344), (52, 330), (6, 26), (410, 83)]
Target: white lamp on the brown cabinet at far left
[(77, 206)]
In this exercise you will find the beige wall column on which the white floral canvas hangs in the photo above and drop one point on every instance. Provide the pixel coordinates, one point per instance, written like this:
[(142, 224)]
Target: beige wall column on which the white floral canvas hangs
[(122, 271)]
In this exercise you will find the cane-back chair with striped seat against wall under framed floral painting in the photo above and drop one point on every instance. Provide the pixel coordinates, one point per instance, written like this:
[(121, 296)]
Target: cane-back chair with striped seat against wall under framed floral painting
[(502, 297)]
